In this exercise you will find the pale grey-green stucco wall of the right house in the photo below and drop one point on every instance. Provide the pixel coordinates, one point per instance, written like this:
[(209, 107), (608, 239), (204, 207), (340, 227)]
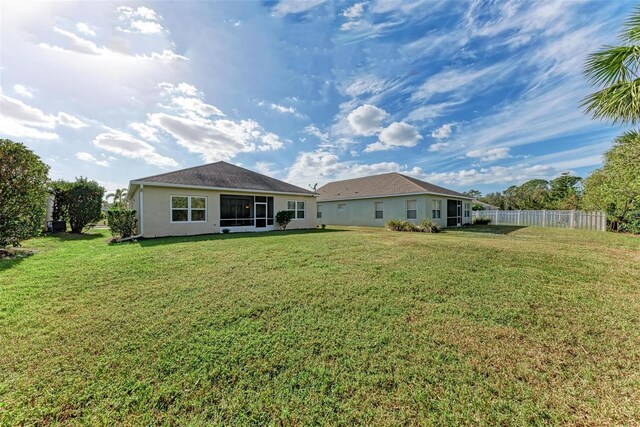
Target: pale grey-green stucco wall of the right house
[(362, 212)]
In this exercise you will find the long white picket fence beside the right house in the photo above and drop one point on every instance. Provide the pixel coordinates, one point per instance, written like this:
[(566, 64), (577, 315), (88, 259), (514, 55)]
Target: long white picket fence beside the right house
[(557, 219)]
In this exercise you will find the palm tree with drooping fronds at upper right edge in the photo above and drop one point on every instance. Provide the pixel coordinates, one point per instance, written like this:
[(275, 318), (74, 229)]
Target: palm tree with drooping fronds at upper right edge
[(615, 71)]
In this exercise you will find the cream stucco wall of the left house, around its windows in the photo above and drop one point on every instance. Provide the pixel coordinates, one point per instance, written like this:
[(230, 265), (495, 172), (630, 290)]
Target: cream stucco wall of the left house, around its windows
[(157, 211)]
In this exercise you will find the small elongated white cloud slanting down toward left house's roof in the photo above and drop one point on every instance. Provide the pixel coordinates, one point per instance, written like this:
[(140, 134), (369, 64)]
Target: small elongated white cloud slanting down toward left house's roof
[(126, 145)]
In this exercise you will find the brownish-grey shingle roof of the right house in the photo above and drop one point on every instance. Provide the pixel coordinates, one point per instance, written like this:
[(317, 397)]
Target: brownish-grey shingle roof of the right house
[(388, 184)]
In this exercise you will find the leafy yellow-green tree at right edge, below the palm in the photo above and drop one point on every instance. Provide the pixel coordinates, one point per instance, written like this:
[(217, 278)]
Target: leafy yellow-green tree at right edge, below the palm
[(615, 188)]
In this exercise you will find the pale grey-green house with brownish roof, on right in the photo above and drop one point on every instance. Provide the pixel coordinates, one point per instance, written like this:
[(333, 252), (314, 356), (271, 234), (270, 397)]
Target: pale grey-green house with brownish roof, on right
[(373, 200)]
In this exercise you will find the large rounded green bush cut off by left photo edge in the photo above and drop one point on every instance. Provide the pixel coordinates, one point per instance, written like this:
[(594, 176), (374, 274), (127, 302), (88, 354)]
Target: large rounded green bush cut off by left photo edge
[(23, 192)]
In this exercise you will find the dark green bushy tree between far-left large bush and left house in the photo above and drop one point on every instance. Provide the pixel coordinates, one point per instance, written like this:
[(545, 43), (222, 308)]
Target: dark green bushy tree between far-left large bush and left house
[(79, 201)]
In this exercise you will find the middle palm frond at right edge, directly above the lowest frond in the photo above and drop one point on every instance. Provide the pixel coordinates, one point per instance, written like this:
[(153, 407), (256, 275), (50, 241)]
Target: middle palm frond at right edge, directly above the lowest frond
[(612, 65)]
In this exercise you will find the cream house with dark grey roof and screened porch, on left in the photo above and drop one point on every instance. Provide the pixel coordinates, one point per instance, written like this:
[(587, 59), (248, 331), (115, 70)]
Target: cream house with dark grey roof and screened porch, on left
[(207, 199)]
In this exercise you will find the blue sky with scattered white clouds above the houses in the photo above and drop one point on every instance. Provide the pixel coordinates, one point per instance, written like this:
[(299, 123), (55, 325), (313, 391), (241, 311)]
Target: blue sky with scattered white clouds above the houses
[(463, 94)]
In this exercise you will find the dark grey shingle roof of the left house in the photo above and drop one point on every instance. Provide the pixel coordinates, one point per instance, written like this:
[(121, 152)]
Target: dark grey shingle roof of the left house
[(223, 175)]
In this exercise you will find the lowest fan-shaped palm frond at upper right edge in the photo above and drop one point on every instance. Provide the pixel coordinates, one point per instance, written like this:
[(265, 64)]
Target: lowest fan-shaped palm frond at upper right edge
[(619, 103)]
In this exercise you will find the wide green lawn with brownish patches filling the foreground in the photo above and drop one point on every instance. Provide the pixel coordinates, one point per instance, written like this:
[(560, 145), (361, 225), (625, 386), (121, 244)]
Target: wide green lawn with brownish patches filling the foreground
[(483, 326)]
